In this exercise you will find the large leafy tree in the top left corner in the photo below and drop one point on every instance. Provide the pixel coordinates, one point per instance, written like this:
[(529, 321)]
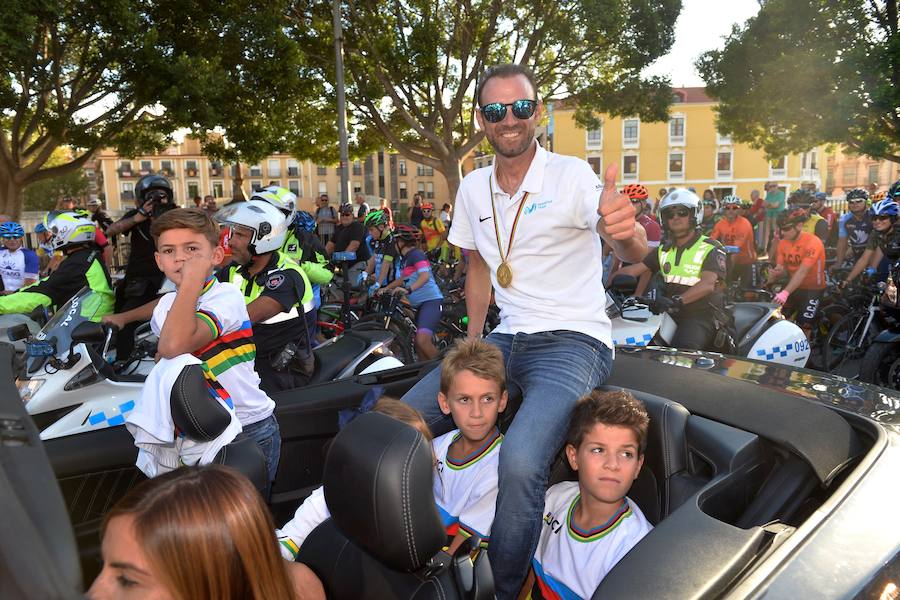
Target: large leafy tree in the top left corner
[(127, 73)]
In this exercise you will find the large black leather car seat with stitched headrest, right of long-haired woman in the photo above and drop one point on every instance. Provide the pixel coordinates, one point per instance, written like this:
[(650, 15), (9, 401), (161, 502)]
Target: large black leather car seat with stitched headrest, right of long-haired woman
[(384, 537)]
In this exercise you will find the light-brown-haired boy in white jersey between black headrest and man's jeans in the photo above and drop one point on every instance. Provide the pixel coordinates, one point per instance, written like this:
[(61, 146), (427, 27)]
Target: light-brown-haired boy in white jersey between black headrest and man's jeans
[(473, 392)]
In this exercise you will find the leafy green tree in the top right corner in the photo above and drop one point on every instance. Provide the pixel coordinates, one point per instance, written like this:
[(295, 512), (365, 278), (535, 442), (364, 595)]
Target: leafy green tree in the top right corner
[(806, 72)]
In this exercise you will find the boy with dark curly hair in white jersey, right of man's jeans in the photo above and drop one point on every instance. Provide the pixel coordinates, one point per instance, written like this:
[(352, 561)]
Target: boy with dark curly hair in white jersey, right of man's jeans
[(589, 525)]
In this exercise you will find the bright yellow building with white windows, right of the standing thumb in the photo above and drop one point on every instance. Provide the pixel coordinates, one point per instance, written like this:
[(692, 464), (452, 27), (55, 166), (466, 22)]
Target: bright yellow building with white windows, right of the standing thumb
[(686, 151)]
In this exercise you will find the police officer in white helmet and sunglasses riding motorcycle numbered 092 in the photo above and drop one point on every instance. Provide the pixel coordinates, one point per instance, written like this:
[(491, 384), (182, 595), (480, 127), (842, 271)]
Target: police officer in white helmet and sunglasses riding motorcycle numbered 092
[(691, 265)]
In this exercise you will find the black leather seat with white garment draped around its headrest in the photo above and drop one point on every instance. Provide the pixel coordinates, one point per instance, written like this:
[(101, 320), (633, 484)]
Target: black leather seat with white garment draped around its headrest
[(201, 419)]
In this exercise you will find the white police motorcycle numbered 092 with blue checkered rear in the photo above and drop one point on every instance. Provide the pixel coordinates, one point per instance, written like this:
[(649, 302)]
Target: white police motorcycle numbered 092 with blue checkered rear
[(761, 332)]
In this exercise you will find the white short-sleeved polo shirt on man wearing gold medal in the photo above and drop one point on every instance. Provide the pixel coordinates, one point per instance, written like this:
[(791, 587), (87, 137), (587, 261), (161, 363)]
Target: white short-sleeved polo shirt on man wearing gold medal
[(556, 257)]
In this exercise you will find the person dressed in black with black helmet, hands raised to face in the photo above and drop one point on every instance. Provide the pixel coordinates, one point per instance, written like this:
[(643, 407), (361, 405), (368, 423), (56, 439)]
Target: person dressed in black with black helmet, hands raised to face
[(153, 196)]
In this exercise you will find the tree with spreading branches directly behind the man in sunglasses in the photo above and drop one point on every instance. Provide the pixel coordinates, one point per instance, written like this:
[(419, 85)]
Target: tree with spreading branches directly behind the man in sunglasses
[(412, 65)]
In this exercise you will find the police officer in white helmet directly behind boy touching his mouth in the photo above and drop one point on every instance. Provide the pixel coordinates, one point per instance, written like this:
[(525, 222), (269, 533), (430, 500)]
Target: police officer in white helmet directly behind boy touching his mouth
[(278, 293)]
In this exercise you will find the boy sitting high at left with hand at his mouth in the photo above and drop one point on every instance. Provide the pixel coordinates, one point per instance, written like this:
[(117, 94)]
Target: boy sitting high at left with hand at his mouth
[(209, 319)]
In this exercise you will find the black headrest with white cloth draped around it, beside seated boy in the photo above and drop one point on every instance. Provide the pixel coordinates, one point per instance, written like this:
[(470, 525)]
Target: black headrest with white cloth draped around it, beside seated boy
[(194, 411)]
